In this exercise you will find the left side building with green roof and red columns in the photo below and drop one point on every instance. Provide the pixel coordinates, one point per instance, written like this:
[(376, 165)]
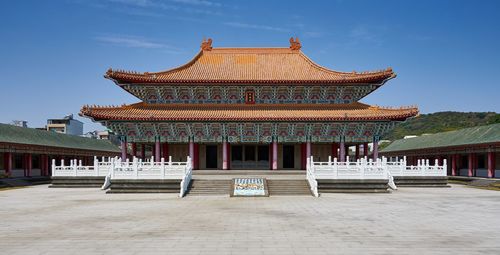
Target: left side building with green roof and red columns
[(28, 152)]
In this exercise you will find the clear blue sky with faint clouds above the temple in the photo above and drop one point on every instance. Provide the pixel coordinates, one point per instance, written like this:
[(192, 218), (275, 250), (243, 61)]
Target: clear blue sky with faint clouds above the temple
[(54, 53)]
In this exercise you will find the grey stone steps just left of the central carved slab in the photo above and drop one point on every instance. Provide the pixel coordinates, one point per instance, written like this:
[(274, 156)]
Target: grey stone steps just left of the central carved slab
[(201, 187)]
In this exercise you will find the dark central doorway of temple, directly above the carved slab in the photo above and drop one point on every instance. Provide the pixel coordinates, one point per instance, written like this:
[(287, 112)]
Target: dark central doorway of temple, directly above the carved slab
[(251, 156)]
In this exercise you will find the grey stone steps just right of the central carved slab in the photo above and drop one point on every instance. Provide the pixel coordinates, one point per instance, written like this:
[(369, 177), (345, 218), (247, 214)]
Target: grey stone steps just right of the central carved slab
[(288, 188)]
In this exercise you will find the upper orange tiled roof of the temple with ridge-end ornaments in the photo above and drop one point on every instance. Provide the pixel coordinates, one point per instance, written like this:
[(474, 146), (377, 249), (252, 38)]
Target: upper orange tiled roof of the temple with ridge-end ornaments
[(250, 66)]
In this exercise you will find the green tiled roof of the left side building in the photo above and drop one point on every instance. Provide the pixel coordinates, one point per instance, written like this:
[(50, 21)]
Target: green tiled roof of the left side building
[(30, 136)]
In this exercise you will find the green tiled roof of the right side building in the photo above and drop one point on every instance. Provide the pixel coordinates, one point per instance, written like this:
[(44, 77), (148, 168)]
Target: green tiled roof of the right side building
[(467, 136)]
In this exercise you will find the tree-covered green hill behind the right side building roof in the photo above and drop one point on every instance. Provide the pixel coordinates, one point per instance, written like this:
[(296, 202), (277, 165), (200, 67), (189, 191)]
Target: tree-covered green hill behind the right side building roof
[(441, 122)]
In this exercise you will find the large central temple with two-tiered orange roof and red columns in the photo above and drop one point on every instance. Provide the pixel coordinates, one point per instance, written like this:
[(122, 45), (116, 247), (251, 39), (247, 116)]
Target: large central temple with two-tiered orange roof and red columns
[(249, 108)]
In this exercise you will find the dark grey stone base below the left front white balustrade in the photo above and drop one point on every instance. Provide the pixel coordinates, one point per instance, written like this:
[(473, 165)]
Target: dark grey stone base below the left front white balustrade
[(144, 186)]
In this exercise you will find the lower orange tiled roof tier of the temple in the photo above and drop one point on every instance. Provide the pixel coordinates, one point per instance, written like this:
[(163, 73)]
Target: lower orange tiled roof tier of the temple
[(242, 112)]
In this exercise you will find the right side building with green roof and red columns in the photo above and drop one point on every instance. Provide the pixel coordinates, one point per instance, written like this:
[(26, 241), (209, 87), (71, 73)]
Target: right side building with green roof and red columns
[(472, 152)]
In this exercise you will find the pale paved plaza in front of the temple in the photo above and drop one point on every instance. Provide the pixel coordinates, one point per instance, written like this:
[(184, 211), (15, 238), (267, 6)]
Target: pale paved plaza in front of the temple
[(457, 220)]
